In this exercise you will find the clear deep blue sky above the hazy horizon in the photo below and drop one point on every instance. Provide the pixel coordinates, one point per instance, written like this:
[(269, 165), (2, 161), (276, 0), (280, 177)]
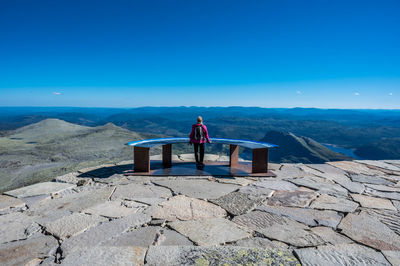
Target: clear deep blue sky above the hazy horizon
[(328, 54)]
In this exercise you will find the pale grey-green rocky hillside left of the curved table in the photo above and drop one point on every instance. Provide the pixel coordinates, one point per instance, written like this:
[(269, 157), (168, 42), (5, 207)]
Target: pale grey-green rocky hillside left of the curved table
[(51, 147)]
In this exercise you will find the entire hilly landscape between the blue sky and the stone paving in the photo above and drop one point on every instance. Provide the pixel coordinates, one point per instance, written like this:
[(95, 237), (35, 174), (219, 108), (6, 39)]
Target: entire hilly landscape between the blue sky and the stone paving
[(37, 143)]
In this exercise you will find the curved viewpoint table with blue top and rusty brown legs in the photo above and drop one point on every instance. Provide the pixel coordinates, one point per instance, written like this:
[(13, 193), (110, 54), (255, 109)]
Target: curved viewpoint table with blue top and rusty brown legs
[(141, 152)]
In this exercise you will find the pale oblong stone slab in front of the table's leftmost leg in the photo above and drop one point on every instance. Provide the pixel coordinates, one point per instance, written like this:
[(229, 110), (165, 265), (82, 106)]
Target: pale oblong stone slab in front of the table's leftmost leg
[(140, 190)]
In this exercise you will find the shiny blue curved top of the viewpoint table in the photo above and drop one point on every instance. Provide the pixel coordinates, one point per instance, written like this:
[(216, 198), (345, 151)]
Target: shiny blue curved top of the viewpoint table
[(148, 143)]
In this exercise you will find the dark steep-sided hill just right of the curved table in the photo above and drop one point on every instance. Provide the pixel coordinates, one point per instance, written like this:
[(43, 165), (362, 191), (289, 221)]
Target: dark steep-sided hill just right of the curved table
[(299, 149)]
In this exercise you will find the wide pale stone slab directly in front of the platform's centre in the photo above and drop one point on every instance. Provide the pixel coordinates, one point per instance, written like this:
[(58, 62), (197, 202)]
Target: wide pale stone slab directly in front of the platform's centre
[(200, 189)]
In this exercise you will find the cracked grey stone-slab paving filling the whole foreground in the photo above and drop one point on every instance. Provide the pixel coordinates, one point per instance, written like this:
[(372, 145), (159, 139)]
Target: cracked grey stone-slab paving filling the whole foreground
[(339, 213)]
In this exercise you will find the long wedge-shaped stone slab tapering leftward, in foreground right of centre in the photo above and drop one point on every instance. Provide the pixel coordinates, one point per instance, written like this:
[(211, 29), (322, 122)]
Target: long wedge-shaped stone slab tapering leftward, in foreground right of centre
[(307, 216)]
